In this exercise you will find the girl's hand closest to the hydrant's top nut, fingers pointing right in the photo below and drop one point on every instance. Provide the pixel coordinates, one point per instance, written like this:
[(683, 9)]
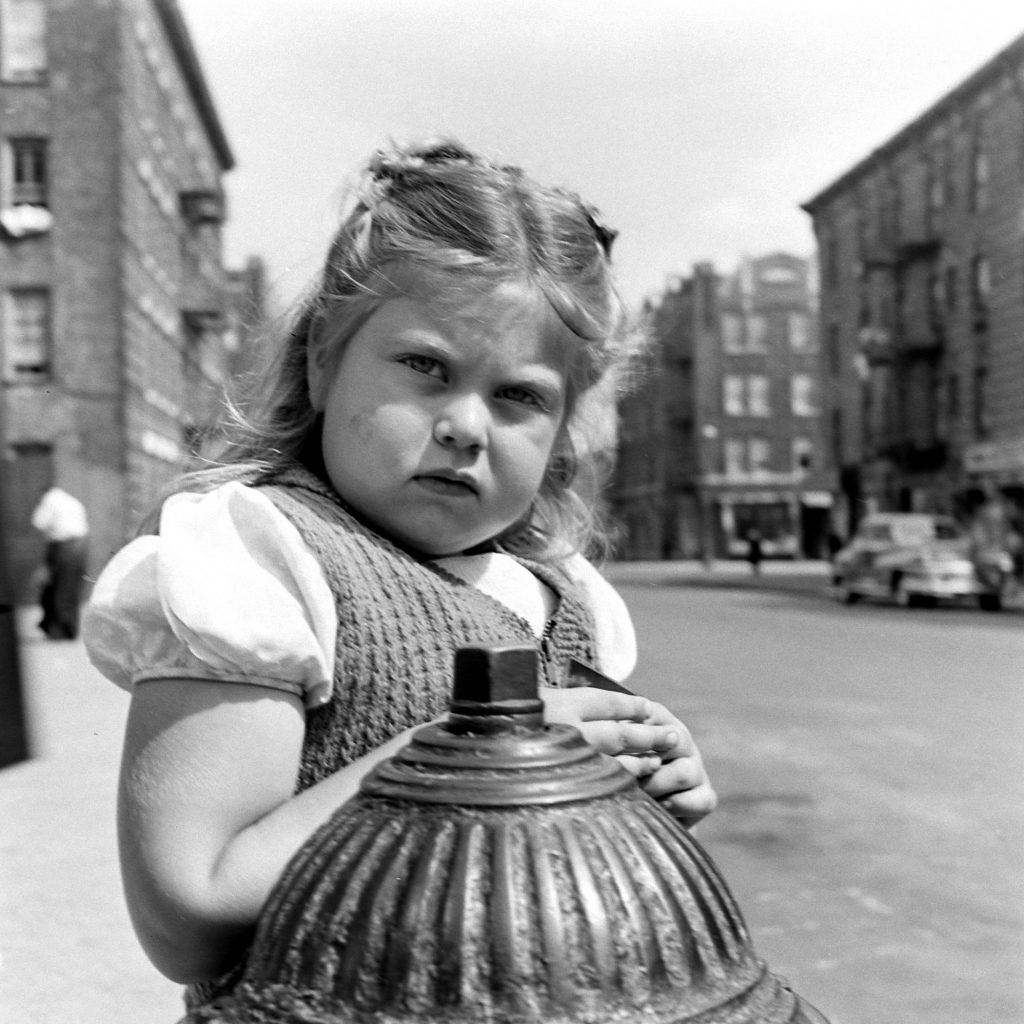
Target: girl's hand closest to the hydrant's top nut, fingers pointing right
[(625, 727)]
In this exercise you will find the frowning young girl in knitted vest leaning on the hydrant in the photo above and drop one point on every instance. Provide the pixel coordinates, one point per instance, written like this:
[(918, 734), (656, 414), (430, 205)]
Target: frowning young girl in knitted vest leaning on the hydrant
[(419, 478)]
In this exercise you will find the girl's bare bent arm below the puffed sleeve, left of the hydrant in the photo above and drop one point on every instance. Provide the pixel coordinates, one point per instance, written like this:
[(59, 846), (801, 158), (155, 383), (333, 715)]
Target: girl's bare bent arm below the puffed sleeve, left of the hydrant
[(207, 816)]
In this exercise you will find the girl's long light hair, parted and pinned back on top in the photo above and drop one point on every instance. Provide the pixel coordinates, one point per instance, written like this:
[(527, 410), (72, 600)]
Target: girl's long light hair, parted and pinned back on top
[(443, 219)]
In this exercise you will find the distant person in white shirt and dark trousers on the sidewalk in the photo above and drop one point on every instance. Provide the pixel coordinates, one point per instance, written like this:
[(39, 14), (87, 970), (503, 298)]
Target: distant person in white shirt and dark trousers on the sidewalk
[(62, 520)]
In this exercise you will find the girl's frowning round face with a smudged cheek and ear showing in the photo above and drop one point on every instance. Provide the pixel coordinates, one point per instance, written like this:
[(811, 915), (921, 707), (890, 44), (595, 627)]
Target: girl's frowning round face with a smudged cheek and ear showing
[(439, 423)]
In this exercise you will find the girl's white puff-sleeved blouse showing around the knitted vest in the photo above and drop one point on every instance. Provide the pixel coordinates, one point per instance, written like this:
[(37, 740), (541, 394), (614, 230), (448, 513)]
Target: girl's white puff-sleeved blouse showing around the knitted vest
[(229, 591)]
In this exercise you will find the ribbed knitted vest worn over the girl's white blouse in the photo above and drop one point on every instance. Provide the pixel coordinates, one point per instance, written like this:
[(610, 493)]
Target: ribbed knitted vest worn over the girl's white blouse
[(400, 623)]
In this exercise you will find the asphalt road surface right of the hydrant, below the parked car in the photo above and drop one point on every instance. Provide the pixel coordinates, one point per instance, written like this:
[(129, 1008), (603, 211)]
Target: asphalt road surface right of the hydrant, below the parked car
[(870, 762)]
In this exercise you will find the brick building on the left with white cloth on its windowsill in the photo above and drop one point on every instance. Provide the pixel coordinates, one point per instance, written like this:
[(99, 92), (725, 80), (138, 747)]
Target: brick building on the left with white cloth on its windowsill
[(111, 276)]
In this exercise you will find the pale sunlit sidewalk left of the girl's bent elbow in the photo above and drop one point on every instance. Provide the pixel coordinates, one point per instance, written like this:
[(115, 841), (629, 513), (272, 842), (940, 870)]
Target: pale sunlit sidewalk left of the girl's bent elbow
[(68, 954)]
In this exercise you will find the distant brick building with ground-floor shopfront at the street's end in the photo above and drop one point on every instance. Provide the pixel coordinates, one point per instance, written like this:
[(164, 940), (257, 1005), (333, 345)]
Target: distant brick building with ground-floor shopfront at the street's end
[(727, 437)]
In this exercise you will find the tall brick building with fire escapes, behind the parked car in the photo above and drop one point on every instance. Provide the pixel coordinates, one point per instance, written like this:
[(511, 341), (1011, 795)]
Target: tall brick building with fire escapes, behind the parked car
[(922, 252)]
